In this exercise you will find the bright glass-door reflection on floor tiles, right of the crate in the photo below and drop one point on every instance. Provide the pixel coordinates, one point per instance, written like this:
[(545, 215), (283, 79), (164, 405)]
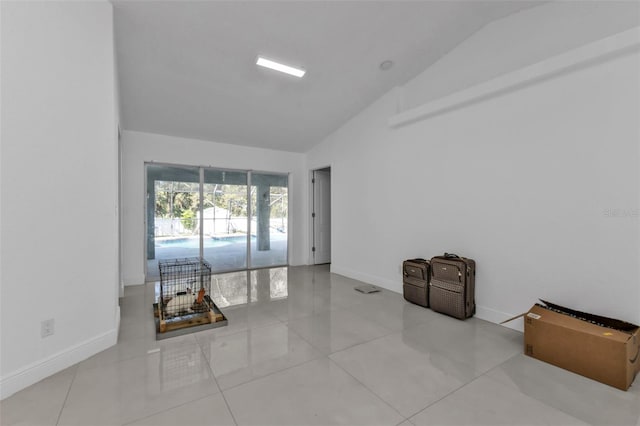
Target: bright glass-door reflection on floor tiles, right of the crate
[(239, 288)]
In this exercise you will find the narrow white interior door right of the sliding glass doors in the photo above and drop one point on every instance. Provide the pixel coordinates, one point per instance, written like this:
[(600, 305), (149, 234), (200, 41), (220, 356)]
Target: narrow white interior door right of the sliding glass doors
[(321, 216)]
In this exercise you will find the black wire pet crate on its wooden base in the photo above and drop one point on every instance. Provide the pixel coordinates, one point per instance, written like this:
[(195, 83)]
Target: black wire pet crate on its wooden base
[(184, 300)]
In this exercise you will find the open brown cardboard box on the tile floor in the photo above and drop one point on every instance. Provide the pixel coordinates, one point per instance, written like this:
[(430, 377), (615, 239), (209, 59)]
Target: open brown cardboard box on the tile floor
[(603, 349)]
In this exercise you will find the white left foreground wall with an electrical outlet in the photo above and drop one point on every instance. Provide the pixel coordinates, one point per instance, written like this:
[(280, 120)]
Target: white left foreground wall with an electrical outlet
[(58, 253)]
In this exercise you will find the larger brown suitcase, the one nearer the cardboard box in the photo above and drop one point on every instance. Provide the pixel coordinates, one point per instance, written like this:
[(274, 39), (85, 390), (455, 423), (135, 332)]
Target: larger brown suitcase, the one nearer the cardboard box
[(452, 285)]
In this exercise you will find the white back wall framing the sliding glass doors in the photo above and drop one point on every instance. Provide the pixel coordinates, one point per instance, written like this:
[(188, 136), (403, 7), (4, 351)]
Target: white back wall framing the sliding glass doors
[(139, 148)]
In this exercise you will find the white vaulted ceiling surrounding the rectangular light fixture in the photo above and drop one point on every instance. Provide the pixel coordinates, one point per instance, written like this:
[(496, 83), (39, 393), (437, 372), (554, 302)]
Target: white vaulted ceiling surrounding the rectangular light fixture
[(187, 68)]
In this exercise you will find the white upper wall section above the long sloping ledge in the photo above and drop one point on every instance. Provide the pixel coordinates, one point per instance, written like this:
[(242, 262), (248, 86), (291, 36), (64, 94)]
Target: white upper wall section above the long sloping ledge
[(522, 39)]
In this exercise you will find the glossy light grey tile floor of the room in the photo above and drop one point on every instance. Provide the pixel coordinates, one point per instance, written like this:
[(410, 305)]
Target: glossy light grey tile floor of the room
[(309, 350)]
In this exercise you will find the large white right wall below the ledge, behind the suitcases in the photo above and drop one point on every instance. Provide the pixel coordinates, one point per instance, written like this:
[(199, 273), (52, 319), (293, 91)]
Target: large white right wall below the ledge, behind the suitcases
[(524, 183)]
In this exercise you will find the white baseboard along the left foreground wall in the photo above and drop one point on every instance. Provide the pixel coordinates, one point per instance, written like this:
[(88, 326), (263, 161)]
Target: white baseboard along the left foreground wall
[(42, 369)]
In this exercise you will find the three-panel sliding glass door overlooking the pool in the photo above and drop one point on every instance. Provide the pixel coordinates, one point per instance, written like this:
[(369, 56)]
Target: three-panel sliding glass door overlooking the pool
[(234, 219)]
